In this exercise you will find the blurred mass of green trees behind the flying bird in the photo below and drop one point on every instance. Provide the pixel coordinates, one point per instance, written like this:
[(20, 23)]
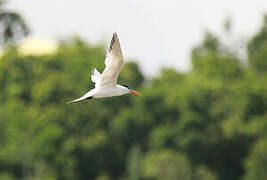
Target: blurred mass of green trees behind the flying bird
[(207, 124)]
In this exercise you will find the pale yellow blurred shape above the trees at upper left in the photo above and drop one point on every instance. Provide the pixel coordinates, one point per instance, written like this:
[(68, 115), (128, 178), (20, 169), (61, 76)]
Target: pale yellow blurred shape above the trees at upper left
[(37, 46)]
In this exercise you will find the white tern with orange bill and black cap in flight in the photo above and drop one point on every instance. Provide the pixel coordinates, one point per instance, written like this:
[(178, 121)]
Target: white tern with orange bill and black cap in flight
[(106, 83)]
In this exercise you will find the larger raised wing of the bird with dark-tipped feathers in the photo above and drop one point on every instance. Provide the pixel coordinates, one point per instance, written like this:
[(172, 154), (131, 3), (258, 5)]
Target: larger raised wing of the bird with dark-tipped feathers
[(114, 63)]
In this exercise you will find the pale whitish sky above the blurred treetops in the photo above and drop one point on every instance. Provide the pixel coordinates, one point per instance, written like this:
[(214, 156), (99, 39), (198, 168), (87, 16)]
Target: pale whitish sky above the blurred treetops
[(157, 33)]
